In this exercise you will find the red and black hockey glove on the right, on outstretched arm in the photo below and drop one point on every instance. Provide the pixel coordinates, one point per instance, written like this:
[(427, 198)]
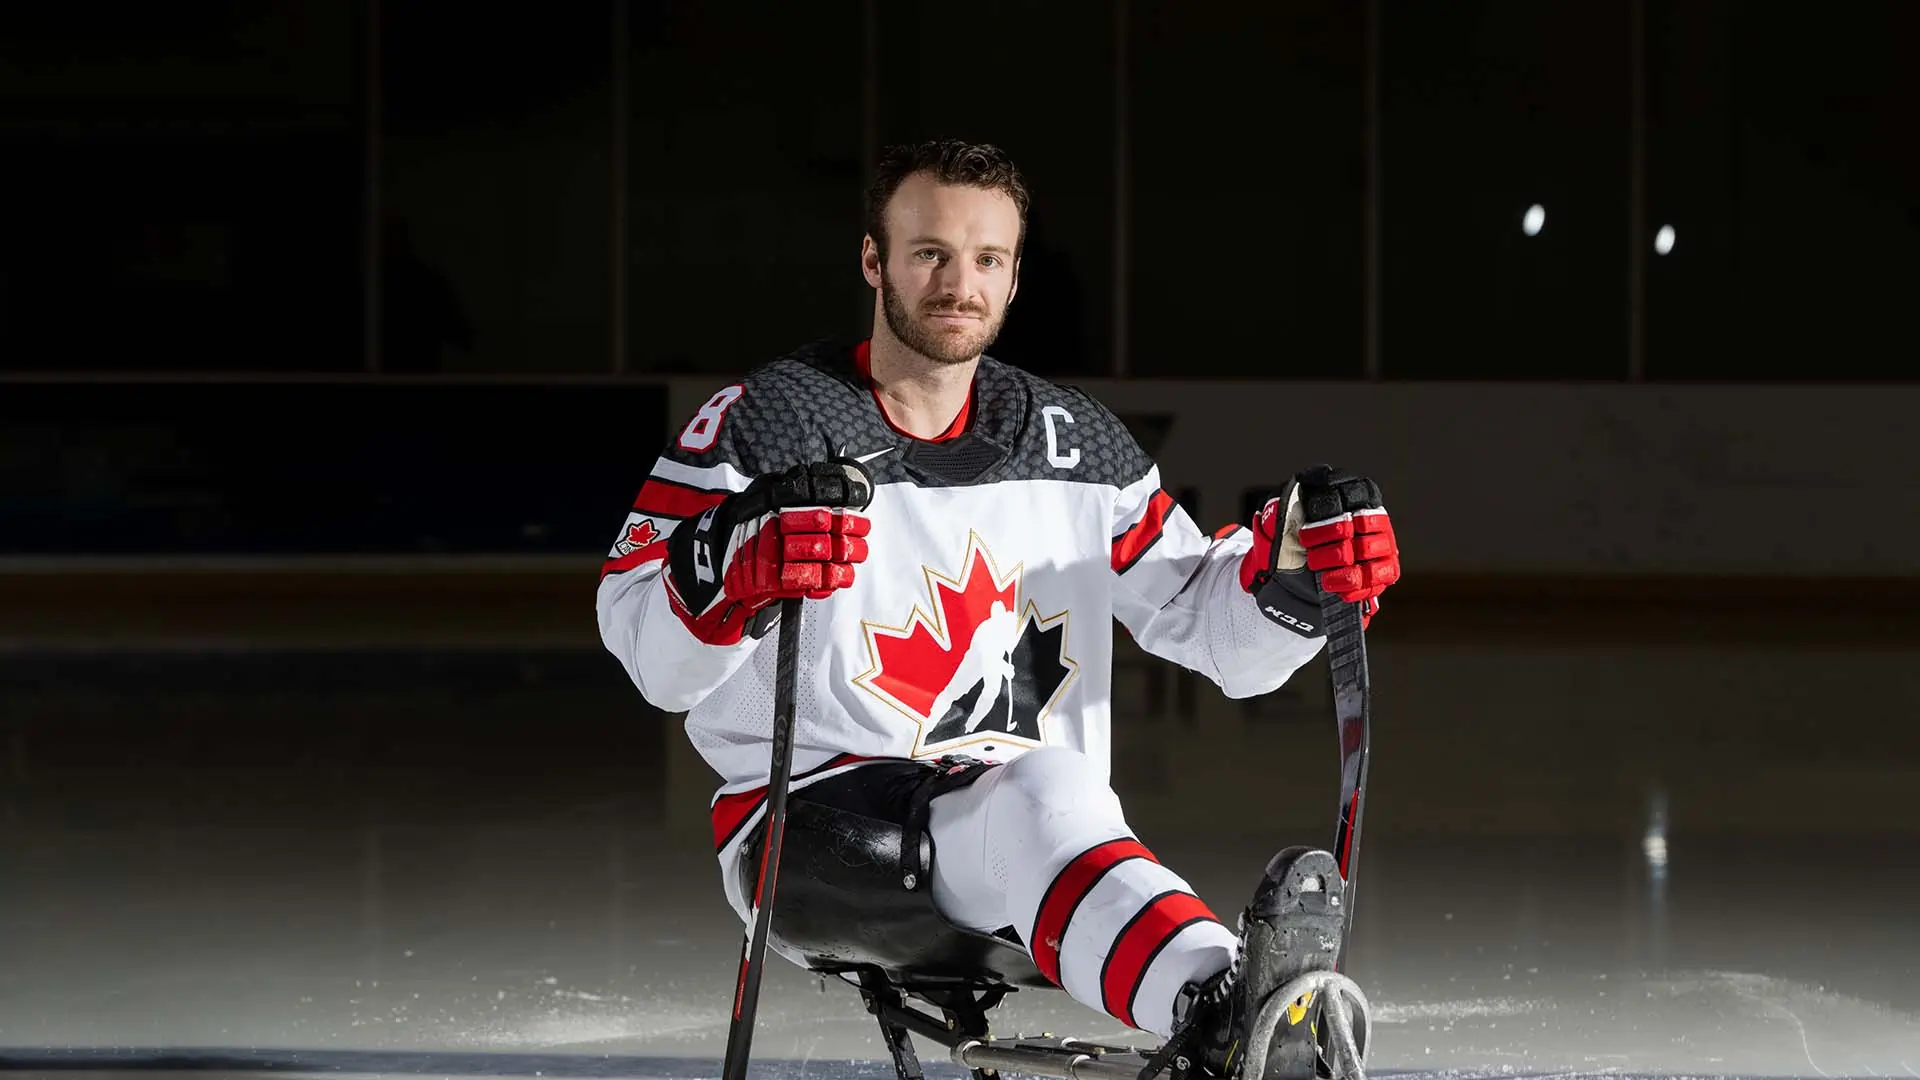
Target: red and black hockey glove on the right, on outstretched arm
[(1330, 526)]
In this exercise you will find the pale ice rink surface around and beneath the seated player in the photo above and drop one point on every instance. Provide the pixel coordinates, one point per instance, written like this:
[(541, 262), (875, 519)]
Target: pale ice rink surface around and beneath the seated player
[(327, 910)]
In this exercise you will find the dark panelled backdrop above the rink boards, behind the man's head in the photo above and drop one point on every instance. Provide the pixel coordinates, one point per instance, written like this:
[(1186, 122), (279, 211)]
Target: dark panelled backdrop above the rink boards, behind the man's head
[(204, 187)]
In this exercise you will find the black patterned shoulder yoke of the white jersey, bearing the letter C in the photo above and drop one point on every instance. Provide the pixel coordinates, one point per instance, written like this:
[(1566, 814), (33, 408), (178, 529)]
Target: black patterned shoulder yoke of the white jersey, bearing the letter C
[(1020, 428)]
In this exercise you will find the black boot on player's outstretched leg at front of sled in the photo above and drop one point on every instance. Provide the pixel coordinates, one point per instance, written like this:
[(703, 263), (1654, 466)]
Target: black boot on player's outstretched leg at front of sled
[(1282, 1012)]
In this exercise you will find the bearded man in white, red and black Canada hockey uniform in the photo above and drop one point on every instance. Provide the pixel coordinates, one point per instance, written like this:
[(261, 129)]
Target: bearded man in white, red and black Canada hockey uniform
[(965, 618)]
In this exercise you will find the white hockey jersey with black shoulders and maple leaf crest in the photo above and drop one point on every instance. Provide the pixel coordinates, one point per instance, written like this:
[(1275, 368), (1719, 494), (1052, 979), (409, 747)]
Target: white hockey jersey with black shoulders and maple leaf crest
[(980, 624)]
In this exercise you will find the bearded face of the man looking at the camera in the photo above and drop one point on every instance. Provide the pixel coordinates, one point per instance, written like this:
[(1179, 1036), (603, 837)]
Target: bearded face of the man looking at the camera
[(949, 272)]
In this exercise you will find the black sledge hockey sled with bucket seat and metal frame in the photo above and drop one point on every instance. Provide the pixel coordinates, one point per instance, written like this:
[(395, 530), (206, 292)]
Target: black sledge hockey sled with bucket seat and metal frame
[(853, 908)]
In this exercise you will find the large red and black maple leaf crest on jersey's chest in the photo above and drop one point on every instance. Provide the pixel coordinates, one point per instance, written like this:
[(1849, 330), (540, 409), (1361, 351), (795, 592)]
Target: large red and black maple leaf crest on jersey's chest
[(976, 668)]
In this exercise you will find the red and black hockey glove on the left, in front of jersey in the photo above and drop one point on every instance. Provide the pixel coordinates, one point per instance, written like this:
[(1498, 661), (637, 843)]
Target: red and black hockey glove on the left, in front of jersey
[(788, 535)]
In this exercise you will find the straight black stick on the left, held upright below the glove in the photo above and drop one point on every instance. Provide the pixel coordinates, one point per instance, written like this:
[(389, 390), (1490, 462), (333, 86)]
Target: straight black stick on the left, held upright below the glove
[(754, 948)]
